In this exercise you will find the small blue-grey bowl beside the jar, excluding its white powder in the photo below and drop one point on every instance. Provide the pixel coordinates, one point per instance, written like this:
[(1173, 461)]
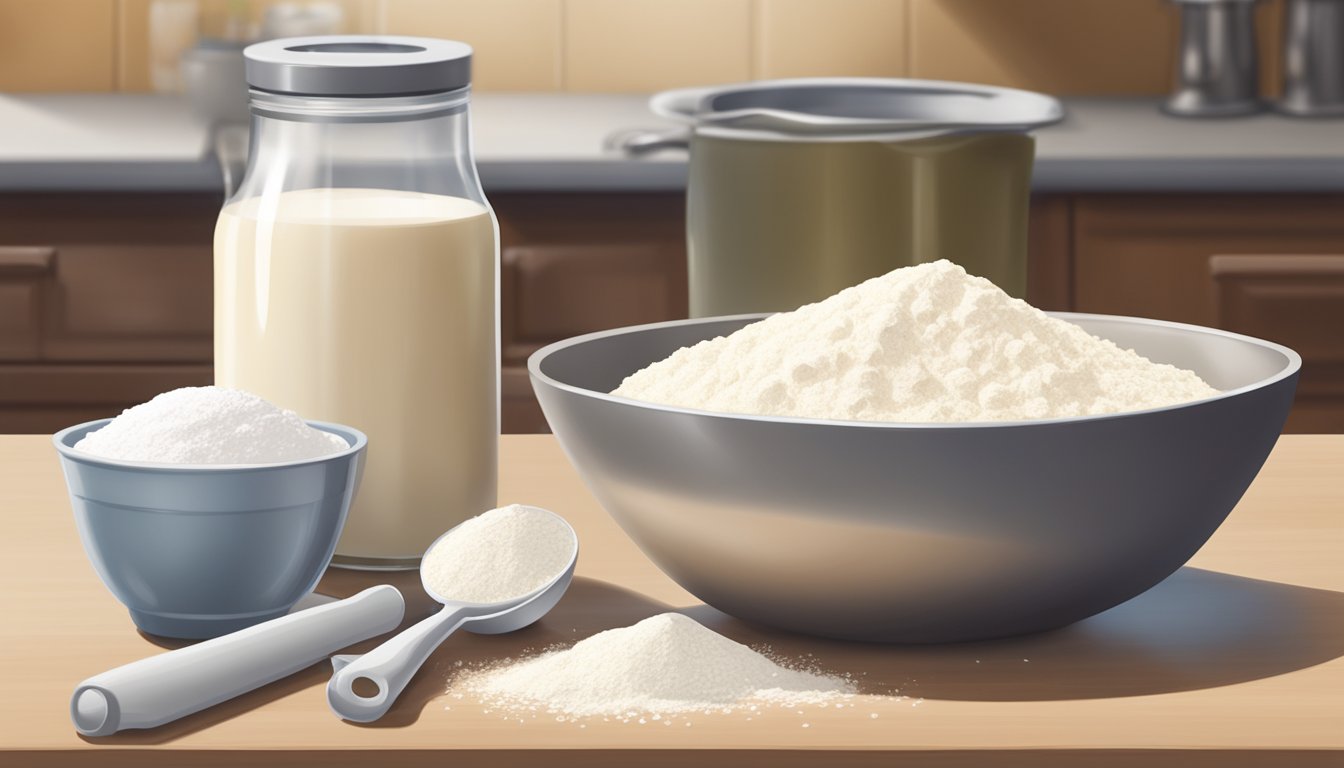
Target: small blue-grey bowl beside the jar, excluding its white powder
[(204, 551)]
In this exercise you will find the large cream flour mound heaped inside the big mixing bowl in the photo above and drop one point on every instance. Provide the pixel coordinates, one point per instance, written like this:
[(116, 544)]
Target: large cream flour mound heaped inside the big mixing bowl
[(921, 344)]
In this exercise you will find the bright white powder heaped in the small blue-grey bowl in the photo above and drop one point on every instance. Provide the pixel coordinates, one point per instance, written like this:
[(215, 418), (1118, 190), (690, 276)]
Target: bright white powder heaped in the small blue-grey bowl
[(210, 426)]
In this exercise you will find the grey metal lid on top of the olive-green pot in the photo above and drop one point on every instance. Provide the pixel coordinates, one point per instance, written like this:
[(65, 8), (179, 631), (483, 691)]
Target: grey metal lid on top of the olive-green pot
[(855, 108)]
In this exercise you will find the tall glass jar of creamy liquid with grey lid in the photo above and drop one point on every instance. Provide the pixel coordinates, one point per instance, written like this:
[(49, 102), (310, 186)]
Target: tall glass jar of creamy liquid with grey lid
[(357, 276)]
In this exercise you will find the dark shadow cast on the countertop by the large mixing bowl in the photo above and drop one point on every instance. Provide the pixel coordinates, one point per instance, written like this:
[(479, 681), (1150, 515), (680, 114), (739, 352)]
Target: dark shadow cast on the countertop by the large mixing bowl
[(1195, 630)]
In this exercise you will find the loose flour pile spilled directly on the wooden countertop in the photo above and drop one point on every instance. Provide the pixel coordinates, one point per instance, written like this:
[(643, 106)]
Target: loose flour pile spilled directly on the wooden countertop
[(665, 665)]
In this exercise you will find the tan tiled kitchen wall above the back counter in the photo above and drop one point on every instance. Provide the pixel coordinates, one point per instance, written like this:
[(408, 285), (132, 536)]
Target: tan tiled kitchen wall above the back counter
[(1069, 48)]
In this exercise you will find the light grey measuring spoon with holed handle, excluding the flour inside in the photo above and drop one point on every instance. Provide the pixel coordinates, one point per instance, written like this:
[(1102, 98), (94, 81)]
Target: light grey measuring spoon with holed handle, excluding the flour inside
[(390, 666)]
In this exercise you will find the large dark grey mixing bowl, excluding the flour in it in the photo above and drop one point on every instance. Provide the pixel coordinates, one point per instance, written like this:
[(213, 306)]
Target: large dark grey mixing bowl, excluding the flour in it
[(919, 533)]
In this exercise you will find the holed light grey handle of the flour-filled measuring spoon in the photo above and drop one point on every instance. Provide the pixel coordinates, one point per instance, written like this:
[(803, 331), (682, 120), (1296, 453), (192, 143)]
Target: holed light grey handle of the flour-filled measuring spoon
[(389, 668)]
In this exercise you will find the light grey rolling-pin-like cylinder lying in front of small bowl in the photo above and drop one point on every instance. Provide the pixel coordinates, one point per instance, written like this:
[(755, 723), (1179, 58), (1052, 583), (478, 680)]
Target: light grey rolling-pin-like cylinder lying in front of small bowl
[(177, 684)]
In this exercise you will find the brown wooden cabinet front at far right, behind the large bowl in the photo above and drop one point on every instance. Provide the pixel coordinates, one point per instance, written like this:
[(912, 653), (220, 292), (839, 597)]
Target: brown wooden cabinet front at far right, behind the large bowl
[(1204, 260)]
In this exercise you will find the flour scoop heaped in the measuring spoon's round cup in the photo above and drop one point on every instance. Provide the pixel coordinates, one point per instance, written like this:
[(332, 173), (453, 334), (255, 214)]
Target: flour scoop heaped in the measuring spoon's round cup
[(499, 556)]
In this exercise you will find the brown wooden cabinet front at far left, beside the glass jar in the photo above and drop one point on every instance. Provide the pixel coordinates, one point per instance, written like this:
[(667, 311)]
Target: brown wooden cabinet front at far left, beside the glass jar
[(106, 302)]
